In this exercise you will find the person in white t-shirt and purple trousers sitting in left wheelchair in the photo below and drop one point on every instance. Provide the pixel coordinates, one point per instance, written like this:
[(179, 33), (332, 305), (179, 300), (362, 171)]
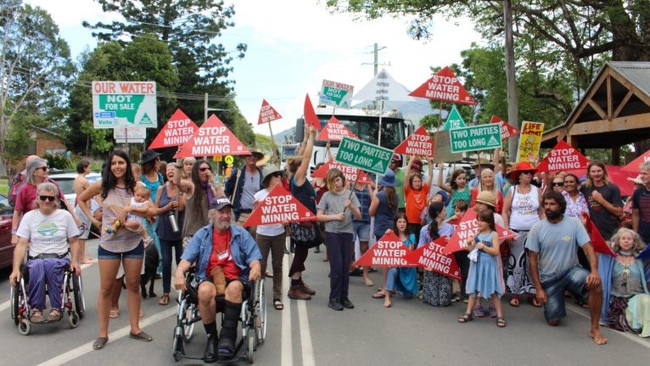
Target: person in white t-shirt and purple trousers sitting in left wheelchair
[(46, 232)]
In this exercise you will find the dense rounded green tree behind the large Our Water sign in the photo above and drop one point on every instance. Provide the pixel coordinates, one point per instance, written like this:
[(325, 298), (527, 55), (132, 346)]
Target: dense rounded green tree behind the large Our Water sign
[(145, 58)]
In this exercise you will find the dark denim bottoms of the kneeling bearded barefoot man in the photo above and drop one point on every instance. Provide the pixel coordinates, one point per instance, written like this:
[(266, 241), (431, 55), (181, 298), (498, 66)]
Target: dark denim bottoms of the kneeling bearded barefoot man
[(573, 280)]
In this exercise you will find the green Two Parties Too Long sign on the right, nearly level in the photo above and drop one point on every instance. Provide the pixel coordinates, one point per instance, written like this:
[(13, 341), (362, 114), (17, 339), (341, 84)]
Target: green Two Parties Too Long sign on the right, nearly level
[(482, 137)]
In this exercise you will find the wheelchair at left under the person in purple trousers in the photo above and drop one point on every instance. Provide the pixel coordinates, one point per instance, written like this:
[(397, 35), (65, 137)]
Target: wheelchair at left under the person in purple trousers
[(73, 302)]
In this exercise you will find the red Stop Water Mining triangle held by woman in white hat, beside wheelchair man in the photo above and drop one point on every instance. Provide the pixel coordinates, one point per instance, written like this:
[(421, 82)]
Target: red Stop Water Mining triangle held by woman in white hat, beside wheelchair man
[(279, 207)]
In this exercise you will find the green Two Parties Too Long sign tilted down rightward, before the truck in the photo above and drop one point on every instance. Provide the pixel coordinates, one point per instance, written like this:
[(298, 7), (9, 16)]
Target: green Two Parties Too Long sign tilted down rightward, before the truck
[(363, 155)]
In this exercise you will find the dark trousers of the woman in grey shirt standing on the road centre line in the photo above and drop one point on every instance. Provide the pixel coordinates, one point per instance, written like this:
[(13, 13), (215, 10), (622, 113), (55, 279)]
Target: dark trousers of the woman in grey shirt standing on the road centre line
[(339, 246)]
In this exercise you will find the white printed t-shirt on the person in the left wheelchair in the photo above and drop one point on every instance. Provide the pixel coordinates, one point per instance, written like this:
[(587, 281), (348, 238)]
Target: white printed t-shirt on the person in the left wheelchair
[(48, 233)]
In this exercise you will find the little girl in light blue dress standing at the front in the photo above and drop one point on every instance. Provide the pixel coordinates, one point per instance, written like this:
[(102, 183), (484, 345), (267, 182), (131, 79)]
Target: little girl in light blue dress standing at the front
[(483, 276)]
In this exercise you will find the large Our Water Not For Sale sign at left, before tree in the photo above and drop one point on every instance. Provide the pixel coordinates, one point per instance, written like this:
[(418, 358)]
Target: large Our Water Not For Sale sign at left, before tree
[(124, 104)]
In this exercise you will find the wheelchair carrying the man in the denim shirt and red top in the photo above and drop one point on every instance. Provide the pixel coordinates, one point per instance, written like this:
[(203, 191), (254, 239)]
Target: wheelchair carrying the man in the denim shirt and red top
[(252, 321)]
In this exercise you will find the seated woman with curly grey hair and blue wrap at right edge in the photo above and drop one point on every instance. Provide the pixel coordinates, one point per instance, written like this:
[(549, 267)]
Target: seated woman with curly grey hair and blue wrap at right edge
[(626, 304)]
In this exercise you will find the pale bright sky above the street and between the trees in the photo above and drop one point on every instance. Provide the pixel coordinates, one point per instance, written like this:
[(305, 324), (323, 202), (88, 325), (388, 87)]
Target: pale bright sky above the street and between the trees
[(294, 44)]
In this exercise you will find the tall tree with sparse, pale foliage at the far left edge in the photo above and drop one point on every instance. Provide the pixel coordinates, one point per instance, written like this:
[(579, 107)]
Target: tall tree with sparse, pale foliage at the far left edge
[(35, 70)]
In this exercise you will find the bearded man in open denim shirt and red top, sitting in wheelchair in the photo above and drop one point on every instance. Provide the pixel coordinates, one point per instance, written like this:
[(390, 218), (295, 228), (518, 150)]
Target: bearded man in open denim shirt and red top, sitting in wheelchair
[(227, 258)]
